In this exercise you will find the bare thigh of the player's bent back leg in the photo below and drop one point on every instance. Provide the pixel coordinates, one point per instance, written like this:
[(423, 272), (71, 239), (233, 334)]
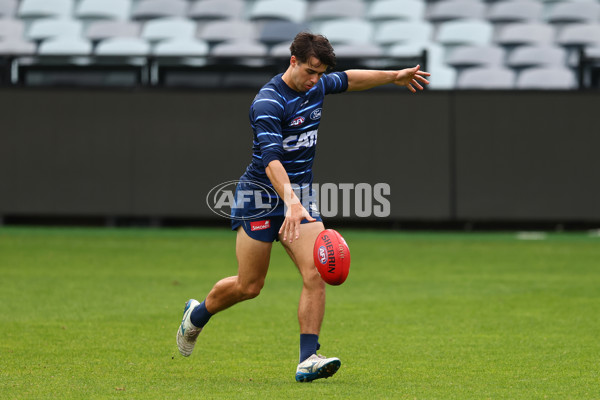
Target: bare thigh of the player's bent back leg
[(253, 258)]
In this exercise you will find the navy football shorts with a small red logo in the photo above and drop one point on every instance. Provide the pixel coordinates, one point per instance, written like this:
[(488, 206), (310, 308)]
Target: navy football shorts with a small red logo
[(261, 213)]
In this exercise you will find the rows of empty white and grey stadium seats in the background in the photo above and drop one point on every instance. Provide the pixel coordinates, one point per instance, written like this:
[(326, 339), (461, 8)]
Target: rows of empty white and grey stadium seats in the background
[(463, 38)]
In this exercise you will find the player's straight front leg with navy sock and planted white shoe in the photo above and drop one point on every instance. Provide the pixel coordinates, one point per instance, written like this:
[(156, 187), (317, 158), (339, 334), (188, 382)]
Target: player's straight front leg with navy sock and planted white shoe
[(311, 307)]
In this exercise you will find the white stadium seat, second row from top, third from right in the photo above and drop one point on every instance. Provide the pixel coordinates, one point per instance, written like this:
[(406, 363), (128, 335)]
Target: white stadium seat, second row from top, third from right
[(462, 32)]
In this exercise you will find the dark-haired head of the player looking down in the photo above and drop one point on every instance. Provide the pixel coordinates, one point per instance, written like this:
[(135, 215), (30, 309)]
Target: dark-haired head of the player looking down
[(312, 56)]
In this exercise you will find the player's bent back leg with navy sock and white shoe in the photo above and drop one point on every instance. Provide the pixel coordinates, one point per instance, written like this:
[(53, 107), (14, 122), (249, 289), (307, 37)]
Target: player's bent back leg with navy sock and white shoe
[(253, 263)]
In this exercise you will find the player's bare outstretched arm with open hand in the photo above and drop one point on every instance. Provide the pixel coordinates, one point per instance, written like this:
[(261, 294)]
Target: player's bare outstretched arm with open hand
[(363, 79)]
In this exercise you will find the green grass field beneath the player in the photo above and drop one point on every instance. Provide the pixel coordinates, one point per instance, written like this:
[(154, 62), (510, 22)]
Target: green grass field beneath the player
[(92, 313)]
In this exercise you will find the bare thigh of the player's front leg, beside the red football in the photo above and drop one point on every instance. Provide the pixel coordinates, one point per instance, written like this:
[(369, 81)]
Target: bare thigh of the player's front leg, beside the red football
[(301, 249)]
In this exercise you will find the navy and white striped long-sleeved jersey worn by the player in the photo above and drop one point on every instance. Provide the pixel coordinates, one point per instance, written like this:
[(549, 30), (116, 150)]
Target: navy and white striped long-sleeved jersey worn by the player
[(285, 125)]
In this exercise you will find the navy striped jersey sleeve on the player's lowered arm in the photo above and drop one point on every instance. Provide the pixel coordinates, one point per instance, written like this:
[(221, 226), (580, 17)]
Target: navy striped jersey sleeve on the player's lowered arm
[(265, 118)]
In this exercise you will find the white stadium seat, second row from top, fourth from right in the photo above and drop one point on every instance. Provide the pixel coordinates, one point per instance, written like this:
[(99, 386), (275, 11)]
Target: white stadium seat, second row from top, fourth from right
[(394, 32)]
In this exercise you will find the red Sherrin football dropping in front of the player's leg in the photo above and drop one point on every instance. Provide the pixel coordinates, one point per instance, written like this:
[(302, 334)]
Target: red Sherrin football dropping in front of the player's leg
[(332, 257)]
